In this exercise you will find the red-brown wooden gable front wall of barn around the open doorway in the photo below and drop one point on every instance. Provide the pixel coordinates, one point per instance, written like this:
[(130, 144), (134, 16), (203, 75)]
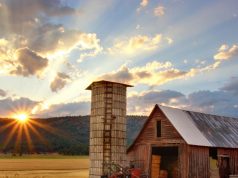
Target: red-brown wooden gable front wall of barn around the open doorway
[(140, 153)]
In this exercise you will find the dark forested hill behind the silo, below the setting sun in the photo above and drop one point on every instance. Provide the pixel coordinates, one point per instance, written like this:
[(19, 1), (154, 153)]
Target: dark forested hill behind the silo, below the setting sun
[(65, 135)]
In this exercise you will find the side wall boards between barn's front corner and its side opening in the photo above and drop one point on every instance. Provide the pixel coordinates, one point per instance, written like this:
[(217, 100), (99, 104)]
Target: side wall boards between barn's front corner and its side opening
[(199, 165)]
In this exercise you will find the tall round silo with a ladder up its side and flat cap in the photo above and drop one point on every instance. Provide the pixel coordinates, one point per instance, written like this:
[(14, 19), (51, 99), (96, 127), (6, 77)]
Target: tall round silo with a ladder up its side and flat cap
[(107, 126)]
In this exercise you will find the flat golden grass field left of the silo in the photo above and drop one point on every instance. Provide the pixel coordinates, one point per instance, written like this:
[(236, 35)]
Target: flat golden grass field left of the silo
[(44, 166)]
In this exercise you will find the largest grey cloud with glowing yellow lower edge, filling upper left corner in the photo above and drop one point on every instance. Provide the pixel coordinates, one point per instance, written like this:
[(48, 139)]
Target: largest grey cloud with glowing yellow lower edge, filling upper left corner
[(34, 29)]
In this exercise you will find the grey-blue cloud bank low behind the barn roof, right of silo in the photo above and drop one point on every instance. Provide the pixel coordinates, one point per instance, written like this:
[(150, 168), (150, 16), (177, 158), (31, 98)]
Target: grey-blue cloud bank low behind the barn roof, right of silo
[(214, 102)]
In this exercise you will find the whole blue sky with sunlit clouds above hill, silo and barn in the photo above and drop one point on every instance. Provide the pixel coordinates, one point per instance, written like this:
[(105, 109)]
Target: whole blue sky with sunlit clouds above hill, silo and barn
[(178, 53)]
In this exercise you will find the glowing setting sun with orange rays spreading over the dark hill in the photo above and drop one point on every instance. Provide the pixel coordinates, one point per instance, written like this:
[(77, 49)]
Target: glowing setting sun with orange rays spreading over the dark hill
[(22, 127)]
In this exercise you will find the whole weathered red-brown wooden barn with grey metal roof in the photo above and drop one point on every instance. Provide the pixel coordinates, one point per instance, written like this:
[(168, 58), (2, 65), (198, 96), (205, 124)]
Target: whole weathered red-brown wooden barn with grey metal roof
[(175, 143)]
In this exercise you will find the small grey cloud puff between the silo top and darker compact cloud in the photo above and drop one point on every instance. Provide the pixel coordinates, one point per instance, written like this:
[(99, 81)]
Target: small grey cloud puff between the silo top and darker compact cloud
[(59, 82)]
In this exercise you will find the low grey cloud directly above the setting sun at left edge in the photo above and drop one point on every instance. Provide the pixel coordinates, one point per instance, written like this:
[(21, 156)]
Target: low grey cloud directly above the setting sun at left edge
[(9, 106)]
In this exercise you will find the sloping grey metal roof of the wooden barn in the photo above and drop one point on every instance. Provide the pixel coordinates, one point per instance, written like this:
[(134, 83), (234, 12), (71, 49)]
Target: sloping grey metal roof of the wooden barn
[(201, 129)]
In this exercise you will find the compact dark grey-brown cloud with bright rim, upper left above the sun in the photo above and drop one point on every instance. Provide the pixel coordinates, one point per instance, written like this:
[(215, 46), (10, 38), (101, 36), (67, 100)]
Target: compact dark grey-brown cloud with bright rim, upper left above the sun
[(29, 63)]
